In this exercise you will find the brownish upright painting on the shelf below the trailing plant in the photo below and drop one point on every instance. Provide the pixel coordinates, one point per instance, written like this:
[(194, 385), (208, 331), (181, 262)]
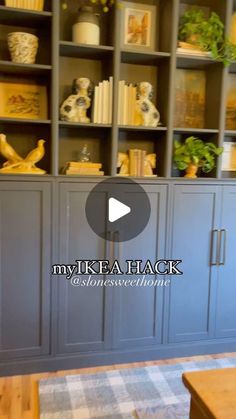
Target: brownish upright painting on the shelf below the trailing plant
[(190, 94)]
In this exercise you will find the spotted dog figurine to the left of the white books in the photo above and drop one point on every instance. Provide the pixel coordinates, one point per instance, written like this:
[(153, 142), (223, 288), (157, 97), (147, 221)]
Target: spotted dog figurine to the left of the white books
[(74, 108)]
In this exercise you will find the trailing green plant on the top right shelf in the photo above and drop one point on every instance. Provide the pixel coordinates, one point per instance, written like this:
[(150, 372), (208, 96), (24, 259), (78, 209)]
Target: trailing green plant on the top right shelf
[(207, 34)]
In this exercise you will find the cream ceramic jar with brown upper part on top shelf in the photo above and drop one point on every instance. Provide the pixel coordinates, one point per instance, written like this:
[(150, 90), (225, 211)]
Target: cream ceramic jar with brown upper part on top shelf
[(86, 30)]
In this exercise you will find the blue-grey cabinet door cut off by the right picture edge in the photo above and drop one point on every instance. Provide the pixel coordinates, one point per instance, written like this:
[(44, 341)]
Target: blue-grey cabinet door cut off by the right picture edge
[(226, 290)]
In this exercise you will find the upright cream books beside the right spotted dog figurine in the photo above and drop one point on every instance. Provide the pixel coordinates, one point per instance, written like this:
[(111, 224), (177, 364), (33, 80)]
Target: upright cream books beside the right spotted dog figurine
[(126, 103)]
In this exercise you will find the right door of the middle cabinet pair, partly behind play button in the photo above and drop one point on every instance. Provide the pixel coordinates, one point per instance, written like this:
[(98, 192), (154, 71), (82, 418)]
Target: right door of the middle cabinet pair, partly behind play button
[(138, 310)]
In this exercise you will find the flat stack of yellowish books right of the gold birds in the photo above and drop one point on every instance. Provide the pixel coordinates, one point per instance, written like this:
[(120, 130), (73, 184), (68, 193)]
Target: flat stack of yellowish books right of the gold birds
[(83, 168)]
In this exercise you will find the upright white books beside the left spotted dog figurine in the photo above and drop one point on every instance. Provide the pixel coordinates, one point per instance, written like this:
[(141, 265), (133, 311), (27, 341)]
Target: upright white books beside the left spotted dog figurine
[(102, 103)]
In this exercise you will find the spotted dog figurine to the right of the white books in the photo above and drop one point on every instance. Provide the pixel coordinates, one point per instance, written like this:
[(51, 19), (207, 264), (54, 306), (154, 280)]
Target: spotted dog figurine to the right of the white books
[(146, 114)]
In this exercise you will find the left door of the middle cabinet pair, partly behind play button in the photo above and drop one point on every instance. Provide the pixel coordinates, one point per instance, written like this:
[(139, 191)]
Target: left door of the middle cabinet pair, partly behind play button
[(84, 320)]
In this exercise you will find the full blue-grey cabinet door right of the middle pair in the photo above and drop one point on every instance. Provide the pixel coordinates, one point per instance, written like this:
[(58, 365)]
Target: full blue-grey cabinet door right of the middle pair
[(192, 295)]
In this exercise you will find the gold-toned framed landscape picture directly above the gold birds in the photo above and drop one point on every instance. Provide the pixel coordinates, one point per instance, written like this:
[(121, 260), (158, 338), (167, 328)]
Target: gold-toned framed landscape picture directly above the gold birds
[(25, 101)]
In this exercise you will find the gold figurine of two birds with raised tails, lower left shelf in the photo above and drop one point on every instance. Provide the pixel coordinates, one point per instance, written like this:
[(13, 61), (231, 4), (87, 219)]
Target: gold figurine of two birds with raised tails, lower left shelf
[(16, 164)]
